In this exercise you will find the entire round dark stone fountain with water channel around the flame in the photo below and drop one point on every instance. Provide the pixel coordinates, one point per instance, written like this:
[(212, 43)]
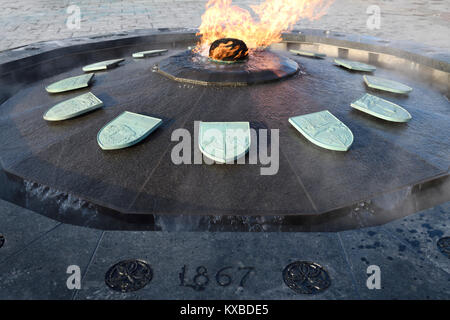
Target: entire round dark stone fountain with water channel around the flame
[(57, 169)]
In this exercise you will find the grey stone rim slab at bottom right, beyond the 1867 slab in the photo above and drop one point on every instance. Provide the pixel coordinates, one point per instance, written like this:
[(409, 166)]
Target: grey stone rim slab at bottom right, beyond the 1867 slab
[(405, 274)]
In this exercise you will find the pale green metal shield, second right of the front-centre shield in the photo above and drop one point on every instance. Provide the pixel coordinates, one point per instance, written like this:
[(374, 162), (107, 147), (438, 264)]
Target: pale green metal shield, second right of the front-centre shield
[(381, 108)]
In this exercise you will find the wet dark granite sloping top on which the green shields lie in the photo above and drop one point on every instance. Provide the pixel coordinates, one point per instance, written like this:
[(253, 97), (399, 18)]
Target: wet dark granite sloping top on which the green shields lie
[(384, 158)]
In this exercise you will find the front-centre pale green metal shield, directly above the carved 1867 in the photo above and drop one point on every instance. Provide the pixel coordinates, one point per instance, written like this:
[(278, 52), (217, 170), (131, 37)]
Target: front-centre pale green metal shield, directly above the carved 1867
[(224, 141)]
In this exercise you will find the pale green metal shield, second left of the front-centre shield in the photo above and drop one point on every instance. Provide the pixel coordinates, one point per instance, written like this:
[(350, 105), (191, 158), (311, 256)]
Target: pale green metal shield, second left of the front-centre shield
[(73, 107)]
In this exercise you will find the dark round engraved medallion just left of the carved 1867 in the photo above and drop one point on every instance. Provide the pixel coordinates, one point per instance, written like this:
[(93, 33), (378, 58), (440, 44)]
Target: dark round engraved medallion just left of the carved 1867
[(128, 275)]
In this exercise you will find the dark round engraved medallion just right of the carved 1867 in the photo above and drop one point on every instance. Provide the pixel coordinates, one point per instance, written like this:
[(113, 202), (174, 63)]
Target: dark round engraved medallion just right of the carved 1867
[(306, 277)]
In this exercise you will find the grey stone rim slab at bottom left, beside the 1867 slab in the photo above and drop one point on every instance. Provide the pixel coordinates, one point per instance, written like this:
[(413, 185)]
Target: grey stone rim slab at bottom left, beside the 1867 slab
[(39, 271)]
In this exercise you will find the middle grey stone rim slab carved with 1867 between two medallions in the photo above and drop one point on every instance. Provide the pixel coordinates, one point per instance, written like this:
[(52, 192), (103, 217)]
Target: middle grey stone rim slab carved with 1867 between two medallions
[(268, 254)]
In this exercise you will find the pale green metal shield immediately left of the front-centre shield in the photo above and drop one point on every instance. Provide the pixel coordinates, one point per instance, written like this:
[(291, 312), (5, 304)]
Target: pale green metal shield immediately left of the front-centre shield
[(126, 130)]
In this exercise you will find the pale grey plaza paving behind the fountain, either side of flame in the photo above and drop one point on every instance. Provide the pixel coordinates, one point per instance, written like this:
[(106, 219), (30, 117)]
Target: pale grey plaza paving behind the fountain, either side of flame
[(399, 19)]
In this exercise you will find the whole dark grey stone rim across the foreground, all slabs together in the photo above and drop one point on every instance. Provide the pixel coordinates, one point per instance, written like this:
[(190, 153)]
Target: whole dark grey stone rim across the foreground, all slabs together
[(205, 265)]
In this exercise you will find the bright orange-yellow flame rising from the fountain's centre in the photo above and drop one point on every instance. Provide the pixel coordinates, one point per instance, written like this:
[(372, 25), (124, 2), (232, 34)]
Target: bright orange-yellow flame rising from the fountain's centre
[(224, 20)]
